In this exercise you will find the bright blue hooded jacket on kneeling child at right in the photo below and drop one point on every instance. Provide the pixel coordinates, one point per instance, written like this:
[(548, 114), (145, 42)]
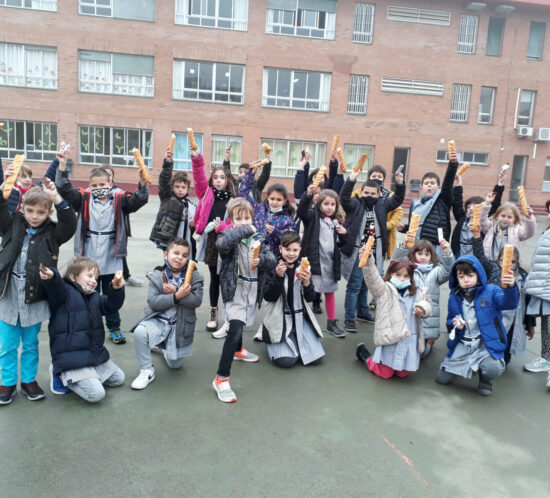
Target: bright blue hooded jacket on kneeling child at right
[(489, 301)]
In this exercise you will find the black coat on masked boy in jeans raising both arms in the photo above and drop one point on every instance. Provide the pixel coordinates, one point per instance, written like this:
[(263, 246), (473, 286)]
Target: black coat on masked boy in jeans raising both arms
[(354, 208)]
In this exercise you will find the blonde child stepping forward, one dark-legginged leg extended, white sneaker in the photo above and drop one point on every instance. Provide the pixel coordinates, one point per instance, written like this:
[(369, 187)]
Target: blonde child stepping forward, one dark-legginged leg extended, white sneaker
[(243, 277)]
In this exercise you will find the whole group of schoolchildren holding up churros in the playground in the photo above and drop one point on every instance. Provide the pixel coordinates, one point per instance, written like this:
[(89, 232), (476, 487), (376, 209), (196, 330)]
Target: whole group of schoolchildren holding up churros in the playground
[(256, 258)]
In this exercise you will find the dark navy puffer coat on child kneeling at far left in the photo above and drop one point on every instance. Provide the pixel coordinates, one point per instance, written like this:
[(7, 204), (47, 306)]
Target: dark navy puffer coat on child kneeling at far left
[(76, 329)]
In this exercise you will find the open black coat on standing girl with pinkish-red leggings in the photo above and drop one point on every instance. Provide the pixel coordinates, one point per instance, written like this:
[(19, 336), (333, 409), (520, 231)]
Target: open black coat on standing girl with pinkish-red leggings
[(310, 240)]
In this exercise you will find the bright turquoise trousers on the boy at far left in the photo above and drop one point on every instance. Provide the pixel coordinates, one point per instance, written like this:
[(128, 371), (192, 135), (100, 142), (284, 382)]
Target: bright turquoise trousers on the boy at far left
[(10, 338)]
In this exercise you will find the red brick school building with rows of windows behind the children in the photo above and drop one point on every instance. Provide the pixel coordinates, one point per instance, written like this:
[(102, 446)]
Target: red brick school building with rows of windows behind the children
[(394, 78)]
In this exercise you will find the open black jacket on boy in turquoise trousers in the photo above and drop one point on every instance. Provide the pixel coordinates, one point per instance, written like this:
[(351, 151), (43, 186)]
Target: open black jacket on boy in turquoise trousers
[(43, 248)]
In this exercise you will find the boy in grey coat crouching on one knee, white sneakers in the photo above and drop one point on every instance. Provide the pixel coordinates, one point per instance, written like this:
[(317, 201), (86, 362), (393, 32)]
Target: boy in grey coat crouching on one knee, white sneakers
[(175, 293)]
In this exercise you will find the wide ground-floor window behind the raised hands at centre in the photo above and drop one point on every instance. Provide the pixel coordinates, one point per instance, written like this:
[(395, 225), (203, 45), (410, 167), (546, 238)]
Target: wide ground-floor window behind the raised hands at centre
[(287, 154)]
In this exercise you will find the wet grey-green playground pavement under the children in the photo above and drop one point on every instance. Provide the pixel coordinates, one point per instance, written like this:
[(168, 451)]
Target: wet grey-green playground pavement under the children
[(328, 430)]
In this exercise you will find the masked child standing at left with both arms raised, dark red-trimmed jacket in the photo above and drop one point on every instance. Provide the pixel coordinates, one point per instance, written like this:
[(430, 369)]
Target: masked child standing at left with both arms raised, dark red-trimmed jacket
[(102, 231)]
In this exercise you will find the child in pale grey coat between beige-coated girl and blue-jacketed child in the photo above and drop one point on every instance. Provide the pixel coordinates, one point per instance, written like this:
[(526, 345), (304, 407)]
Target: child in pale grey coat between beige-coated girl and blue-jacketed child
[(430, 273)]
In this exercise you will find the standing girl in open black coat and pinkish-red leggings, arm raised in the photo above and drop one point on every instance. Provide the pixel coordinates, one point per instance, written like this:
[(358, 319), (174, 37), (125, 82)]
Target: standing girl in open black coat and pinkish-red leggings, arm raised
[(323, 236)]
